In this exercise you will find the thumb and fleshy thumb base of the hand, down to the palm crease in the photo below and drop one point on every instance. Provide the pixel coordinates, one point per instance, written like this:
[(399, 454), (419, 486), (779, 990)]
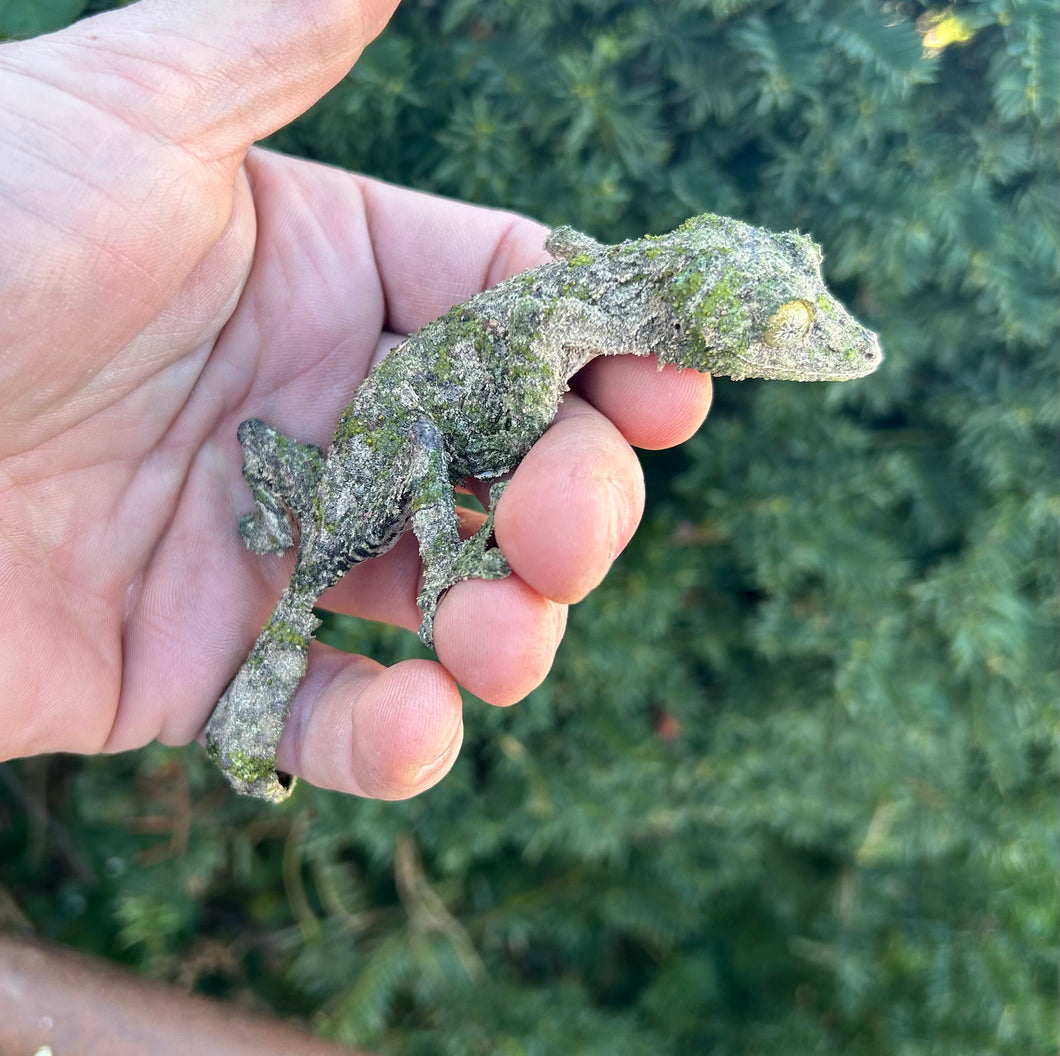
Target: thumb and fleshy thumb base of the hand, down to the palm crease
[(125, 135)]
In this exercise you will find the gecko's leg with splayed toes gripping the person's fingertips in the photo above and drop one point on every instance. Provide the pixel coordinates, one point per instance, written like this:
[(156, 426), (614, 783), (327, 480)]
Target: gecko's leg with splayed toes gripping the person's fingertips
[(447, 558)]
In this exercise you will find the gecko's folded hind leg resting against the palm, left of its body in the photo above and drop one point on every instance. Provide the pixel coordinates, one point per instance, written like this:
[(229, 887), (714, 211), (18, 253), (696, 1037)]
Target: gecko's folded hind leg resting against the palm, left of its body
[(284, 477)]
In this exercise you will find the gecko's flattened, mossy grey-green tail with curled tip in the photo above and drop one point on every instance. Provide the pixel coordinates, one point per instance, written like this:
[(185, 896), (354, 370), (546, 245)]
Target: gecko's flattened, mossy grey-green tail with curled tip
[(249, 720)]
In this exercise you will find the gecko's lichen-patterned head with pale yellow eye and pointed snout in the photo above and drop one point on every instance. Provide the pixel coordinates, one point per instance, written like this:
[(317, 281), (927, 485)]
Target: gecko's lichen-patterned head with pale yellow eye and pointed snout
[(758, 308)]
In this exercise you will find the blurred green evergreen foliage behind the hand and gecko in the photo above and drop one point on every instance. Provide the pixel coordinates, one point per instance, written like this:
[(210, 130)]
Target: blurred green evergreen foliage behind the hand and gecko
[(792, 787)]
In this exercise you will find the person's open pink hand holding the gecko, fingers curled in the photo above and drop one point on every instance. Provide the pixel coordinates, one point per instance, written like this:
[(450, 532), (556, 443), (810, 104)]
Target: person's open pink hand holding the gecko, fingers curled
[(161, 285)]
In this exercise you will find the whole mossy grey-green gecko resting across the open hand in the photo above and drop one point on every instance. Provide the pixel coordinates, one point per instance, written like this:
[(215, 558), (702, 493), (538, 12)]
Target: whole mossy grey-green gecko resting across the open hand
[(471, 393)]
